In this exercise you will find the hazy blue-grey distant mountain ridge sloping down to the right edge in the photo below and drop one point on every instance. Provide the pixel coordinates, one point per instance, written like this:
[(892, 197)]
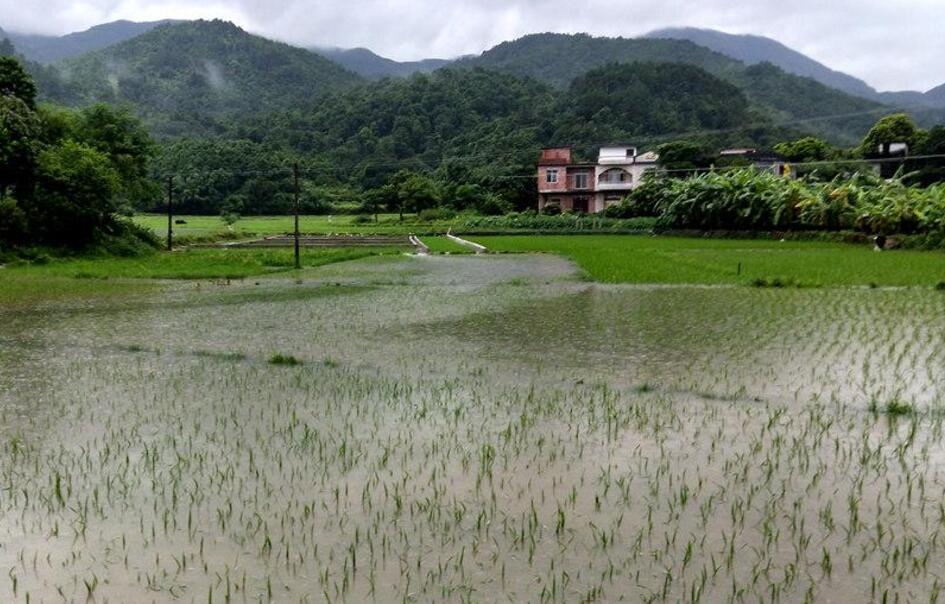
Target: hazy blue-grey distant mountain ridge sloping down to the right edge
[(752, 50)]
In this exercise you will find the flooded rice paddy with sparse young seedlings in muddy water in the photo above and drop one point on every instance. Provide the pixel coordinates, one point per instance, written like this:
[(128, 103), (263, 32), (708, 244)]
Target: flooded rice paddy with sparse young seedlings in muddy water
[(481, 429)]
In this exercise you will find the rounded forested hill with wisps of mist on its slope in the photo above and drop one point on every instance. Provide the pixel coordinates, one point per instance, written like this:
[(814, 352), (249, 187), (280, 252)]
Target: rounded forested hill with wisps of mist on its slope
[(189, 77)]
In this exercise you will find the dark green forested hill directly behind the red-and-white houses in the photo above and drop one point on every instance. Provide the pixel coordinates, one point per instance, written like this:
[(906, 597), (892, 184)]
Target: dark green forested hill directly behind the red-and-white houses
[(466, 126)]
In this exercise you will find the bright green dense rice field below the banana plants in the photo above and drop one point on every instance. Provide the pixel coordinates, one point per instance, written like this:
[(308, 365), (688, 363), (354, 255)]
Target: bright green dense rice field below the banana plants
[(648, 259)]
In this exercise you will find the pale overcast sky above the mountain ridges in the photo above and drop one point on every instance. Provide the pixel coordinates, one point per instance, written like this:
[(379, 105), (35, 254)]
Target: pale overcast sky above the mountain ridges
[(891, 44)]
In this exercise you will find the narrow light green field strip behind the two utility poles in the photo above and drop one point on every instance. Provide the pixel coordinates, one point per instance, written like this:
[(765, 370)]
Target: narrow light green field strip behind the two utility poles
[(210, 226)]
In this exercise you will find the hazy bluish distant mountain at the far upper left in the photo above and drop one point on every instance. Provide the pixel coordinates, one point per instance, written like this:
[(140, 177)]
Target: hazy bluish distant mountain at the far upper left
[(51, 49)]
